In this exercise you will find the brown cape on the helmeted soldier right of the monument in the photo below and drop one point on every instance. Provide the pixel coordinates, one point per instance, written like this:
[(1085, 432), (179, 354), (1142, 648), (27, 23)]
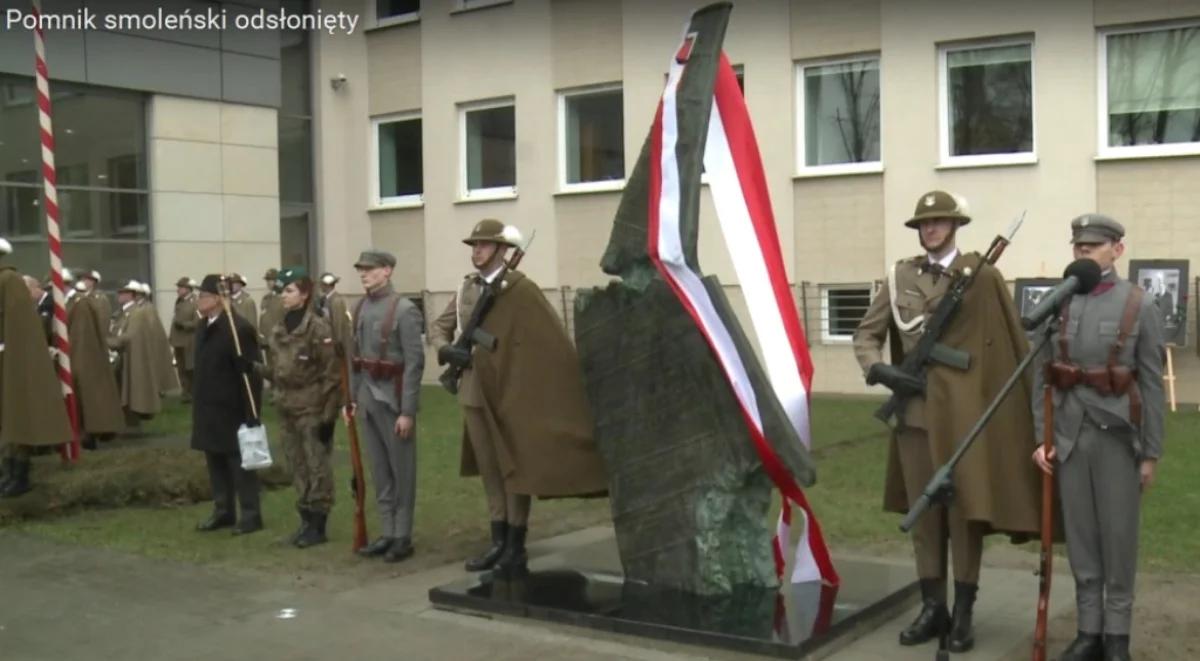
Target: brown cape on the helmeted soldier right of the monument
[(995, 484)]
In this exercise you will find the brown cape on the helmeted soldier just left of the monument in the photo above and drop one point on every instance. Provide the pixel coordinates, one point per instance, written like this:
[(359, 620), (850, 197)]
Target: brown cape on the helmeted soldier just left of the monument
[(533, 389)]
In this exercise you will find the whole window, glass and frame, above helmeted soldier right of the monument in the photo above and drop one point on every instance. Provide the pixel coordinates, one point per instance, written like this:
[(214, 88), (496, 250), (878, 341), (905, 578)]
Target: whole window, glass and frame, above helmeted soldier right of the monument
[(987, 105)]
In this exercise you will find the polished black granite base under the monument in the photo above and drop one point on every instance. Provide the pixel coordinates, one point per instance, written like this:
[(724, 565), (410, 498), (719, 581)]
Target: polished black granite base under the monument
[(795, 622)]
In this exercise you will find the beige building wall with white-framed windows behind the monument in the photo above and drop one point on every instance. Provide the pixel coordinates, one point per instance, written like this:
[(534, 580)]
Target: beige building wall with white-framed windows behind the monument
[(835, 230)]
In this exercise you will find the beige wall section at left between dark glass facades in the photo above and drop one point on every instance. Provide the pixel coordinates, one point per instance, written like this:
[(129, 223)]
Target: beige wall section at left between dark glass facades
[(214, 200)]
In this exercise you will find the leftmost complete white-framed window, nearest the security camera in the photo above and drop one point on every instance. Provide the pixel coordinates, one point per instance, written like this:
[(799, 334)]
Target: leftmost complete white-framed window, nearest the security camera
[(399, 179)]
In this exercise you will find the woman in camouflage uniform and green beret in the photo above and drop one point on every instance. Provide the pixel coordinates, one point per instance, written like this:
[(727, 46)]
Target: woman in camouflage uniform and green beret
[(305, 376)]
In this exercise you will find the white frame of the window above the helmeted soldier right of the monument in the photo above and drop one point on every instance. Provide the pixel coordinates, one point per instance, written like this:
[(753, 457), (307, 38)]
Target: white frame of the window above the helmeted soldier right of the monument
[(944, 106)]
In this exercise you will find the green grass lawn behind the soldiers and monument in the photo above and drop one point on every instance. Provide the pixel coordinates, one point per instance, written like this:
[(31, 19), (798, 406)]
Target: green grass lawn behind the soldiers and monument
[(850, 447)]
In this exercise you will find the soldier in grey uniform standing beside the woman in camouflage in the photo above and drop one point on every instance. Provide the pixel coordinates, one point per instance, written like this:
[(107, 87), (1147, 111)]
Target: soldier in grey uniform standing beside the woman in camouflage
[(386, 387)]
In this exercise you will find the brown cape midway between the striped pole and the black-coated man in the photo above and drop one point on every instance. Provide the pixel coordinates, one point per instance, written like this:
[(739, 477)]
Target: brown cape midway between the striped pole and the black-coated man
[(146, 366)]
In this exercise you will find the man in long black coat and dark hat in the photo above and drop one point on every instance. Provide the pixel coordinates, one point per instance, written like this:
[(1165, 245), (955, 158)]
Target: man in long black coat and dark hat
[(220, 406)]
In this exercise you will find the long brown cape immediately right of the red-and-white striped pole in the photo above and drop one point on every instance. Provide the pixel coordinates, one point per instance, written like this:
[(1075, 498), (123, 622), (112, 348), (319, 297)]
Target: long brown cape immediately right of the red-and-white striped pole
[(97, 393)]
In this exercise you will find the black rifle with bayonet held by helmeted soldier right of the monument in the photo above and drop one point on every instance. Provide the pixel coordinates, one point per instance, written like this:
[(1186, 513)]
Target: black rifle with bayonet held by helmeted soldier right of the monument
[(928, 348)]
